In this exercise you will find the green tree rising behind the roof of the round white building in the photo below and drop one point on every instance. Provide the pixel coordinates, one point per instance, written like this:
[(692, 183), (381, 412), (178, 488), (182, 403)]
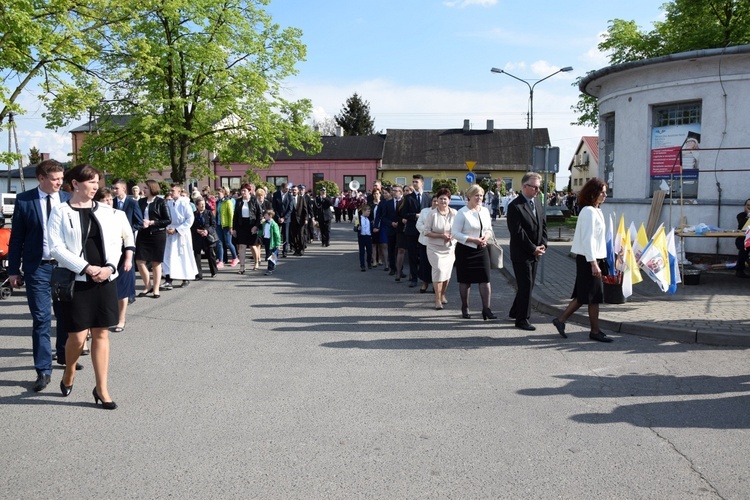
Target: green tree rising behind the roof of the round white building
[(687, 25)]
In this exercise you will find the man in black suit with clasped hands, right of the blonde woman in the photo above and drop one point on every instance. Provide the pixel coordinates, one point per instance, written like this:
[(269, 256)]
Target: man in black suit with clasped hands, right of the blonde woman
[(528, 242)]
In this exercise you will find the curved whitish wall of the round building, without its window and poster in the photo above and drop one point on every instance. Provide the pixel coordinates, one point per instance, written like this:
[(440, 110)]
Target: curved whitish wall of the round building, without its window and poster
[(721, 82)]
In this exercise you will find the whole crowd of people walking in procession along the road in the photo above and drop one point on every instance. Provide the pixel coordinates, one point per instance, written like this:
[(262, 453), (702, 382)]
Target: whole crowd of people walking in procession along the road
[(100, 235)]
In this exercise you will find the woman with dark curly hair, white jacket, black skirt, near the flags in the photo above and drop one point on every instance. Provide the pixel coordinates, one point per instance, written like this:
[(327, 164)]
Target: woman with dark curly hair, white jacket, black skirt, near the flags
[(590, 247)]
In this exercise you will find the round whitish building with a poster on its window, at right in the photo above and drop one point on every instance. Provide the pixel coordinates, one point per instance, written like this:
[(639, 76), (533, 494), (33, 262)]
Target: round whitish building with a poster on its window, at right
[(682, 115)]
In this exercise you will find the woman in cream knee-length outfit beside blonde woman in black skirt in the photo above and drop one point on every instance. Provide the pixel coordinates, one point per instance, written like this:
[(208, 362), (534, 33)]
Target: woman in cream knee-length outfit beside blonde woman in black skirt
[(440, 245)]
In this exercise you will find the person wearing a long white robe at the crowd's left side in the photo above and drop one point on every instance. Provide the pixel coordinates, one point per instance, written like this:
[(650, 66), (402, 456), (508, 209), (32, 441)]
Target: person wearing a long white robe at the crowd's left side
[(179, 262)]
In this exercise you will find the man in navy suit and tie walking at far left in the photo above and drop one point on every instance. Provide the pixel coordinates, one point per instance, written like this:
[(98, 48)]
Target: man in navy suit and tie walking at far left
[(28, 244)]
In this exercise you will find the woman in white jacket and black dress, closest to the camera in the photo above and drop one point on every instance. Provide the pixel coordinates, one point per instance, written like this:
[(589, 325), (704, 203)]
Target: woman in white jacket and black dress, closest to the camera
[(86, 238)]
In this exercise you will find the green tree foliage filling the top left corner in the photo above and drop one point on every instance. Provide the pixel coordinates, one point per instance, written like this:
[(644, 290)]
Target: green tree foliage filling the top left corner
[(48, 49)]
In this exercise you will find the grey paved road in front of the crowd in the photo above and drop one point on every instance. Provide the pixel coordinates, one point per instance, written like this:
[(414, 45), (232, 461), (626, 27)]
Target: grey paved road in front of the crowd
[(325, 382)]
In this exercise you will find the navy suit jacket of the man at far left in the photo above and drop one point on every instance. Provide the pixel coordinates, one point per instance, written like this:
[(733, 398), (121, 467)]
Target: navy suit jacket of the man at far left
[(27, 234)]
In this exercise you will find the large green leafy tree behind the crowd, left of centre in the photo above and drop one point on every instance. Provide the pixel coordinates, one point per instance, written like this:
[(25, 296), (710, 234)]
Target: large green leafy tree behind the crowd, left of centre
[(198, 76)]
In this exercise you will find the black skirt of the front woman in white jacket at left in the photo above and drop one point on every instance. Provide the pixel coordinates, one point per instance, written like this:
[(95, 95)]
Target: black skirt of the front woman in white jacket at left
[(94, 305)]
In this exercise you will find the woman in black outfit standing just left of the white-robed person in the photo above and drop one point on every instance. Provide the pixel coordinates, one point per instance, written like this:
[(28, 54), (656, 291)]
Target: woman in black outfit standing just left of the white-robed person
[(152, 239)]
